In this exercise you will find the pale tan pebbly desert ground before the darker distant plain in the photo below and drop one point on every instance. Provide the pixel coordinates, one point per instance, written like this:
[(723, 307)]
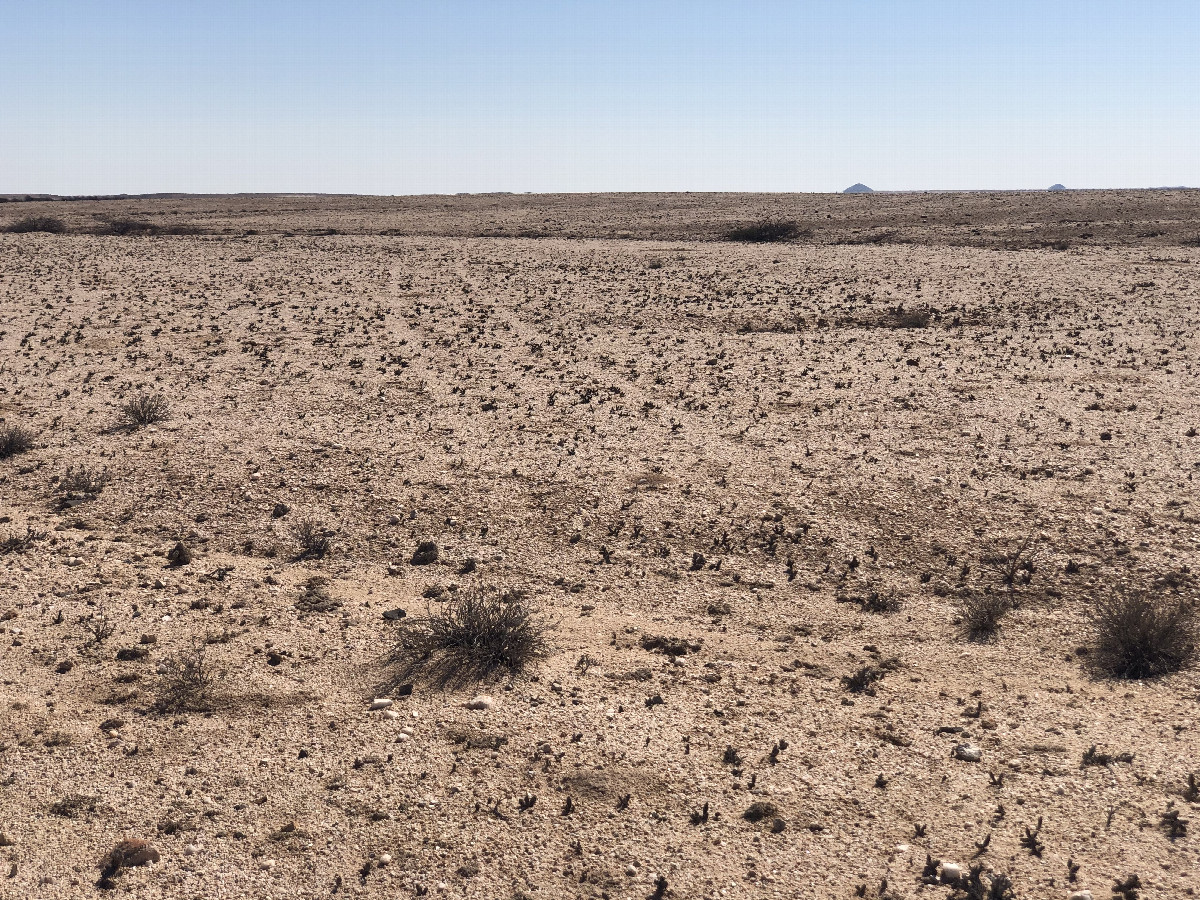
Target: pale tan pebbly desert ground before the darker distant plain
[(701, 463)]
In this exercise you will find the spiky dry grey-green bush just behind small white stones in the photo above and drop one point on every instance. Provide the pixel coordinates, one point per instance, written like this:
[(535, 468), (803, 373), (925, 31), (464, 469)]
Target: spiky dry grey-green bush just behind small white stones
[(479, 632)]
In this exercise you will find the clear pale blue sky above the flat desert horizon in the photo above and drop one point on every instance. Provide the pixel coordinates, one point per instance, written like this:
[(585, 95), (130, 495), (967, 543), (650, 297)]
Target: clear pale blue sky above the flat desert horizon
[(449, 95)]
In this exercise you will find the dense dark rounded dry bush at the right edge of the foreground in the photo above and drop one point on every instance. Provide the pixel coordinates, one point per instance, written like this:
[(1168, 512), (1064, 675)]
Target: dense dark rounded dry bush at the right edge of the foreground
[(1142, 635)]
